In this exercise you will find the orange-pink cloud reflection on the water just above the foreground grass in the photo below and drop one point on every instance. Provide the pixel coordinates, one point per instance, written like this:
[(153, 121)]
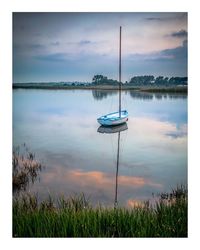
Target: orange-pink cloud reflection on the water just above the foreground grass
[(97, 184)]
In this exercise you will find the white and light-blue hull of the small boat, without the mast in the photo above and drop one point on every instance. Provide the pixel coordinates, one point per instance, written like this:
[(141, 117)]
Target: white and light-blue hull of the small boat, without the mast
[(113, 119)]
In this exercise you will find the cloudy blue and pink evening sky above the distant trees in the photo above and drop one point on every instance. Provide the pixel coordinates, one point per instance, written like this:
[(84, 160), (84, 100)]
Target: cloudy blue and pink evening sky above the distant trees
[(77, 46)]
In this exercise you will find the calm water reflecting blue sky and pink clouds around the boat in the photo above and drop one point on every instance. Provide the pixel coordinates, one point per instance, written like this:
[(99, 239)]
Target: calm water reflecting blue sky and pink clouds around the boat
[(60, 127)]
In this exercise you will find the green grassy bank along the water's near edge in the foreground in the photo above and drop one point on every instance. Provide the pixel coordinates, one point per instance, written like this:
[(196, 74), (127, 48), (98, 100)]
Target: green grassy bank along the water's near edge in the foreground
[(75, 217)]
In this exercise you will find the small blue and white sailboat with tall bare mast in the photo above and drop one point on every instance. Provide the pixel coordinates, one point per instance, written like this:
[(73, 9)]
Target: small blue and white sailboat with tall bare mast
[(121, 116)]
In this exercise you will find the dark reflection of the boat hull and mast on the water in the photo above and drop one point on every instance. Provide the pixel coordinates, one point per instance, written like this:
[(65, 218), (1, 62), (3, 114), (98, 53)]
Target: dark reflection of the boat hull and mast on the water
[(110, 130)]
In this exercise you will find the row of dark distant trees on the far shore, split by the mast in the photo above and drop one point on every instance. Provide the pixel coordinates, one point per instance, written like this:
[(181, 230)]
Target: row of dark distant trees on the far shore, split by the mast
[(142, 80)]
